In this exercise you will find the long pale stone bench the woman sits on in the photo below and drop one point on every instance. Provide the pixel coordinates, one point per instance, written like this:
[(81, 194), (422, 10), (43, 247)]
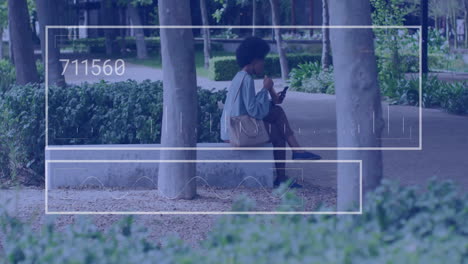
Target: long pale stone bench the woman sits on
[(107, 166)]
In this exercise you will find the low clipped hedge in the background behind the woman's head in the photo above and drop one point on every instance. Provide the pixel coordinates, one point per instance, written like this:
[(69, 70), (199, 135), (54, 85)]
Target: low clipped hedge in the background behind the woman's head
[(225, 68)]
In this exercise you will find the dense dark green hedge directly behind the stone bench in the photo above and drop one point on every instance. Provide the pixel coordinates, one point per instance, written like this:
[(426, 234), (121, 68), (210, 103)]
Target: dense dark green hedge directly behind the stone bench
[(100, 113)]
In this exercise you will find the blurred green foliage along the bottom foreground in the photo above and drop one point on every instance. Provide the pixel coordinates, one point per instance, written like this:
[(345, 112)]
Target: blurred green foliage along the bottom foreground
[(398, 225)]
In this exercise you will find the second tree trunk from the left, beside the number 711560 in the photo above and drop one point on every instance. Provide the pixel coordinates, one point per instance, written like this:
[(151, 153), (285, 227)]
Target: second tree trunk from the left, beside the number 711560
[(46, 12)]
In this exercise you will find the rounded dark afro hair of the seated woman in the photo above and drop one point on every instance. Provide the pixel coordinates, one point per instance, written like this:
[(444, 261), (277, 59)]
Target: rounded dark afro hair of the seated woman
[(251, 48)]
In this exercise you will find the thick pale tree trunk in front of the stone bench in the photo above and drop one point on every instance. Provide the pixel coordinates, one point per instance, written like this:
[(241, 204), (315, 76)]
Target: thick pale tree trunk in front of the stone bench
[(176, 180)]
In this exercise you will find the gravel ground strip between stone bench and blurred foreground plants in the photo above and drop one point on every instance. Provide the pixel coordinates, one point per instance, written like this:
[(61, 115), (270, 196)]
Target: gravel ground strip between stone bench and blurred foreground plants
[(28, 205)]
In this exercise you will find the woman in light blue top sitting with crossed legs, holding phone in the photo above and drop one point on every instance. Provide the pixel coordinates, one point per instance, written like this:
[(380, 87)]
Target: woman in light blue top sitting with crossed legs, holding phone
[(250, 56)]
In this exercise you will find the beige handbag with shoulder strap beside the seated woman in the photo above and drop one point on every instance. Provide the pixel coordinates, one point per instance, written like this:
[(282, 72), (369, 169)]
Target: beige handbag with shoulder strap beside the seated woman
[(246, 131)]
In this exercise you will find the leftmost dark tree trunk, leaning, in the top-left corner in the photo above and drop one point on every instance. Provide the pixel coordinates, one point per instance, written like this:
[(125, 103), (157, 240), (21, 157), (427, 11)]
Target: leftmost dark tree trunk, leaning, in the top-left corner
[(22, 46)]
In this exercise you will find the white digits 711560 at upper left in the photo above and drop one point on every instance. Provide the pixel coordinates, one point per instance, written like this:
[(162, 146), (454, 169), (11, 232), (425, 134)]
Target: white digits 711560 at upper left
[(96, 67)]
